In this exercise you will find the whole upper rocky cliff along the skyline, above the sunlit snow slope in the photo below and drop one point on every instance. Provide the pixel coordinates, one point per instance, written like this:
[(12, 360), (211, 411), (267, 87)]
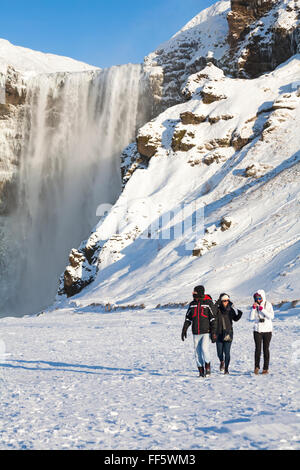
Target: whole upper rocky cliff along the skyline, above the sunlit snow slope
[(244, 38)]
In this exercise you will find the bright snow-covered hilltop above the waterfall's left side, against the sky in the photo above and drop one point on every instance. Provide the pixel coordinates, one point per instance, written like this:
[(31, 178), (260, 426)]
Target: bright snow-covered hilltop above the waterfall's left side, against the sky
[(27, 60)]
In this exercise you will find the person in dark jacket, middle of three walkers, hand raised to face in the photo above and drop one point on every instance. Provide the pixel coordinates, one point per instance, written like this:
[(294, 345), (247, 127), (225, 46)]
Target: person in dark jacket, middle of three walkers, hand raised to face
[(226, 314)]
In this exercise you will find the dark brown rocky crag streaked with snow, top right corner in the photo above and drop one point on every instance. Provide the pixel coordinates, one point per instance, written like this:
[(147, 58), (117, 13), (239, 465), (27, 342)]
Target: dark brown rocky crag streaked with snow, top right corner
[(262, 35)]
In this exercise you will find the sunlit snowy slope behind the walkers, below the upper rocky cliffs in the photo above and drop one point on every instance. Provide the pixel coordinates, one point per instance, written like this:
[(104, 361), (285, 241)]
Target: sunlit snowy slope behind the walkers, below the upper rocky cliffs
[(232, 148)]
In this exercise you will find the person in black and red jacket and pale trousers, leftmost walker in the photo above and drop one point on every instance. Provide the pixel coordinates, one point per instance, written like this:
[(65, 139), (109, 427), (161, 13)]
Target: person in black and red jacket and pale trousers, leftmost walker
[(201, 315)]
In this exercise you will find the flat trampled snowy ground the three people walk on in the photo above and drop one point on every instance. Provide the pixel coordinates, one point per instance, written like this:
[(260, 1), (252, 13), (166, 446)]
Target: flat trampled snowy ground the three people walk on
[(85, 380)]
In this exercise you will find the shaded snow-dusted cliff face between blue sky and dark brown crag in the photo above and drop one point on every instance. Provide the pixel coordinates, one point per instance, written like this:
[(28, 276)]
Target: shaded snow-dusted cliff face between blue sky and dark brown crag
[(185, 54)]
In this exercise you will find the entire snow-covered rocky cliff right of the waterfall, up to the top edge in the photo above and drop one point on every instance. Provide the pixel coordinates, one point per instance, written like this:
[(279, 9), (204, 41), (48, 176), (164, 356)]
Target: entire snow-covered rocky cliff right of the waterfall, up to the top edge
[(229, 145)]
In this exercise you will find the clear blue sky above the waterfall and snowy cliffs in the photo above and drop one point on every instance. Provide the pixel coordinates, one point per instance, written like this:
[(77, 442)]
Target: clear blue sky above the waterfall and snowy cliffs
[(98, 32)]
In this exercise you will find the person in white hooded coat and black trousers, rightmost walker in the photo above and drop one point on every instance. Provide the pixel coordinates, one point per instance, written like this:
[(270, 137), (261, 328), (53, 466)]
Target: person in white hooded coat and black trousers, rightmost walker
[(262, 314)]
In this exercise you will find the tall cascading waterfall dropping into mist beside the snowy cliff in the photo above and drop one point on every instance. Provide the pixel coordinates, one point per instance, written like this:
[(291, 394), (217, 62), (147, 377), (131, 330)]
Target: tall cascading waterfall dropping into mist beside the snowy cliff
[(75, 128)]
